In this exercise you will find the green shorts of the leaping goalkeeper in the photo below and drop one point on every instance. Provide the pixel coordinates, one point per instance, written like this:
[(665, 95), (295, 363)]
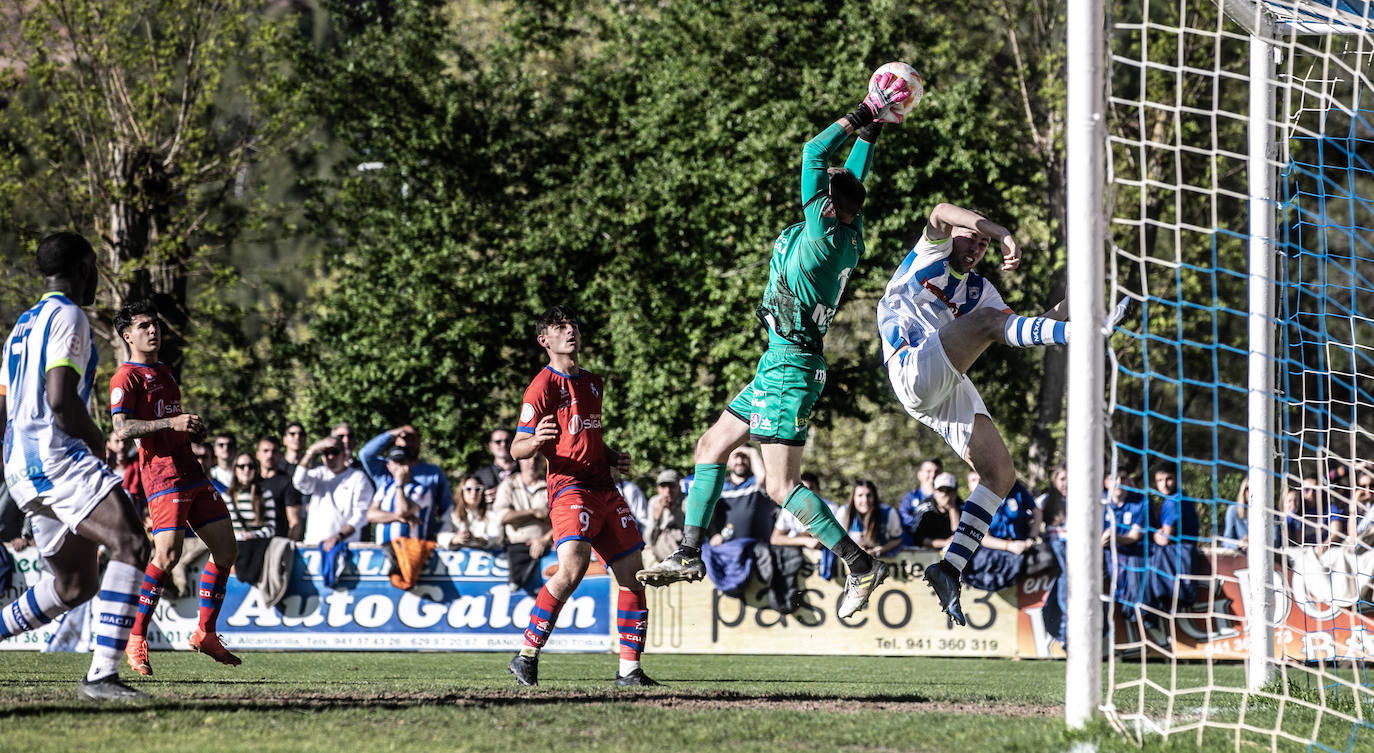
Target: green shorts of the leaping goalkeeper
[(778, 402)]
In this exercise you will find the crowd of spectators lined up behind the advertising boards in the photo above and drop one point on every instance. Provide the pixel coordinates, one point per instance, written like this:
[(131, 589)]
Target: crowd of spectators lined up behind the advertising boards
[(332, 493)]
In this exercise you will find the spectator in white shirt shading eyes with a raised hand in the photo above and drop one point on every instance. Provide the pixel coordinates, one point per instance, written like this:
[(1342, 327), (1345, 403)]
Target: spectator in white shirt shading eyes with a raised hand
[(340, 495)]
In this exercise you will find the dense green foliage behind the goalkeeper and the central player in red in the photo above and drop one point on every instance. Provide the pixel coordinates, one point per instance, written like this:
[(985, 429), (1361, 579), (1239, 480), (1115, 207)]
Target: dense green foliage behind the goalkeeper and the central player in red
[(635, 166)]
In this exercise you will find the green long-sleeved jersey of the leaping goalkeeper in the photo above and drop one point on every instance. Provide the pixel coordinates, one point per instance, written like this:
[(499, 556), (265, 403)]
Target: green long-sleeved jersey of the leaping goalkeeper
[(813, 260)]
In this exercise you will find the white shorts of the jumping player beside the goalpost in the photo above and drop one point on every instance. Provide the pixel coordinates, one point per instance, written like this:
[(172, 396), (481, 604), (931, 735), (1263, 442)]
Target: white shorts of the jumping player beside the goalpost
[(935, 394)]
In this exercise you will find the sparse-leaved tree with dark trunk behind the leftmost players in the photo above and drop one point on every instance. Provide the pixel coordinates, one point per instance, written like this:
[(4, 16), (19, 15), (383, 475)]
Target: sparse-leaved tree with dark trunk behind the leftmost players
[(116, 123)]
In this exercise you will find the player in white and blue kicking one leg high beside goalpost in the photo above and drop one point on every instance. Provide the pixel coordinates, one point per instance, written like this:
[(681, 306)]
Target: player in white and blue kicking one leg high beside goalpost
[(936, 318)]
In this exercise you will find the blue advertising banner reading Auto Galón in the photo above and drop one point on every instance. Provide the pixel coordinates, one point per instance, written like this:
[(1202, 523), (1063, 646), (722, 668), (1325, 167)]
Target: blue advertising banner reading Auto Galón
[(462, 603)]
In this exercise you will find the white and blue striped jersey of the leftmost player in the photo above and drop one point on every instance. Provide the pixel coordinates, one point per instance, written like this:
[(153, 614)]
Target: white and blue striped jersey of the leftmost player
[(52, 335)]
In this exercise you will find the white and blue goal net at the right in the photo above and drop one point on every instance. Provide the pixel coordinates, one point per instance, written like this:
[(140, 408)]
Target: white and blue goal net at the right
[(1225, 117)]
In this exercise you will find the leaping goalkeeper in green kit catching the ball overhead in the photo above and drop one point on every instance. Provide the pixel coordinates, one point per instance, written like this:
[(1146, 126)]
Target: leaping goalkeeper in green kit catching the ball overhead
[(811, 263)]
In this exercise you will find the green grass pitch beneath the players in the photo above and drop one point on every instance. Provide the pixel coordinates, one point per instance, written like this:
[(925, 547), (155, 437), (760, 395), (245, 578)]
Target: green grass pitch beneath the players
[(429, 703)]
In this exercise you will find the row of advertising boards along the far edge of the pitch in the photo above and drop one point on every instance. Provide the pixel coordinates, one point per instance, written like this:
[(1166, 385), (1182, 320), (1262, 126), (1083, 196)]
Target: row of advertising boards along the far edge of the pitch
[(464, 604)]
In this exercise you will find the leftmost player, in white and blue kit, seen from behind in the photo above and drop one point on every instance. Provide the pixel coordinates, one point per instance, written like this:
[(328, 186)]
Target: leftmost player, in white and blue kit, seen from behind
[(53, 464)]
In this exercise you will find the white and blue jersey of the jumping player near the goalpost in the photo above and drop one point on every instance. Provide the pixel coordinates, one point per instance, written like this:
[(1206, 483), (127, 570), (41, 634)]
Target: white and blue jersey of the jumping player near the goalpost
[(925, 293)]
